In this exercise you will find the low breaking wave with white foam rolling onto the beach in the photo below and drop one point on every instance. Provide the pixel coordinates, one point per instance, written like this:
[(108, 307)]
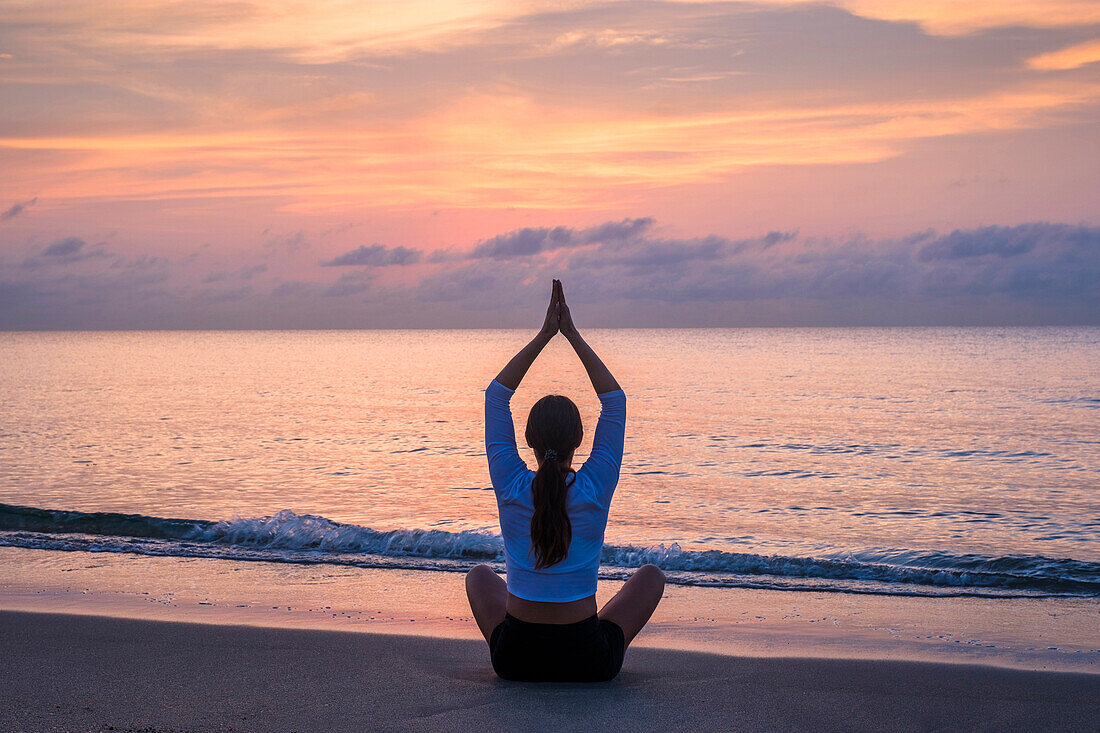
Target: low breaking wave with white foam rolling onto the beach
[(290, 538)]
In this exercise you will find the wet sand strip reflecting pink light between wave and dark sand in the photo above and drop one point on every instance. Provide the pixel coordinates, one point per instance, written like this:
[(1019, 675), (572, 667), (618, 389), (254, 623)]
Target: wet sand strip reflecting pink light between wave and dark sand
[(1016, 634)]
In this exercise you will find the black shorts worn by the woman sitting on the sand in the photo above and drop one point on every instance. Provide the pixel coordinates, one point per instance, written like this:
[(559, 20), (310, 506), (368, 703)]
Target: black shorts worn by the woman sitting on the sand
[(590, 651)]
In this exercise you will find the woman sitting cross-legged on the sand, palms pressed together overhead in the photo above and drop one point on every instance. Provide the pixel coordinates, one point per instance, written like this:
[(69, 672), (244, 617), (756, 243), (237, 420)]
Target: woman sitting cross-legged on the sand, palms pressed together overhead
[(543, 626)]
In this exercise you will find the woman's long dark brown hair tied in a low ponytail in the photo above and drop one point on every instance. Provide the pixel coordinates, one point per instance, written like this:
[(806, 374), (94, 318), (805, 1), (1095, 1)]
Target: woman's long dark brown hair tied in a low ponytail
[(554, 432)]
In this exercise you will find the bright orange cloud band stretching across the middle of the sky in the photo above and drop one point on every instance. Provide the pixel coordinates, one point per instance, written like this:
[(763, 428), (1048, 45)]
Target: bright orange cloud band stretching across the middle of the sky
[(504, 150)]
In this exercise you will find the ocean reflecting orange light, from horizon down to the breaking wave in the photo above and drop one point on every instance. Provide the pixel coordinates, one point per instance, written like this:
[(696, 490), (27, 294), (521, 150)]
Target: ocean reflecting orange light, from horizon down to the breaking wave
[(884, 462)]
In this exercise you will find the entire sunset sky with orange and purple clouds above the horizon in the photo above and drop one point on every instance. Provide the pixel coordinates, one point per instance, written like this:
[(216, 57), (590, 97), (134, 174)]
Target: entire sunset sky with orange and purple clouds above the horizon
[(336, 165)]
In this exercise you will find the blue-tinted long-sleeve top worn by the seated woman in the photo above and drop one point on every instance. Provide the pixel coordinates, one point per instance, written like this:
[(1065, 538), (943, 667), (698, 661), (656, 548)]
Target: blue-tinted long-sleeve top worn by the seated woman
[(588, 501)]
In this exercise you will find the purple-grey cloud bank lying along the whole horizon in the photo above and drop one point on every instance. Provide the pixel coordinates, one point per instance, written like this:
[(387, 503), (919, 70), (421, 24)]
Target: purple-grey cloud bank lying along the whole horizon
[(619, 273)]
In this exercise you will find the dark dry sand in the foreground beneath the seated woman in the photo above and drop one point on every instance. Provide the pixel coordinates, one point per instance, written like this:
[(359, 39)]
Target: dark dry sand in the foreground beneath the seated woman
[(79, 673)]
